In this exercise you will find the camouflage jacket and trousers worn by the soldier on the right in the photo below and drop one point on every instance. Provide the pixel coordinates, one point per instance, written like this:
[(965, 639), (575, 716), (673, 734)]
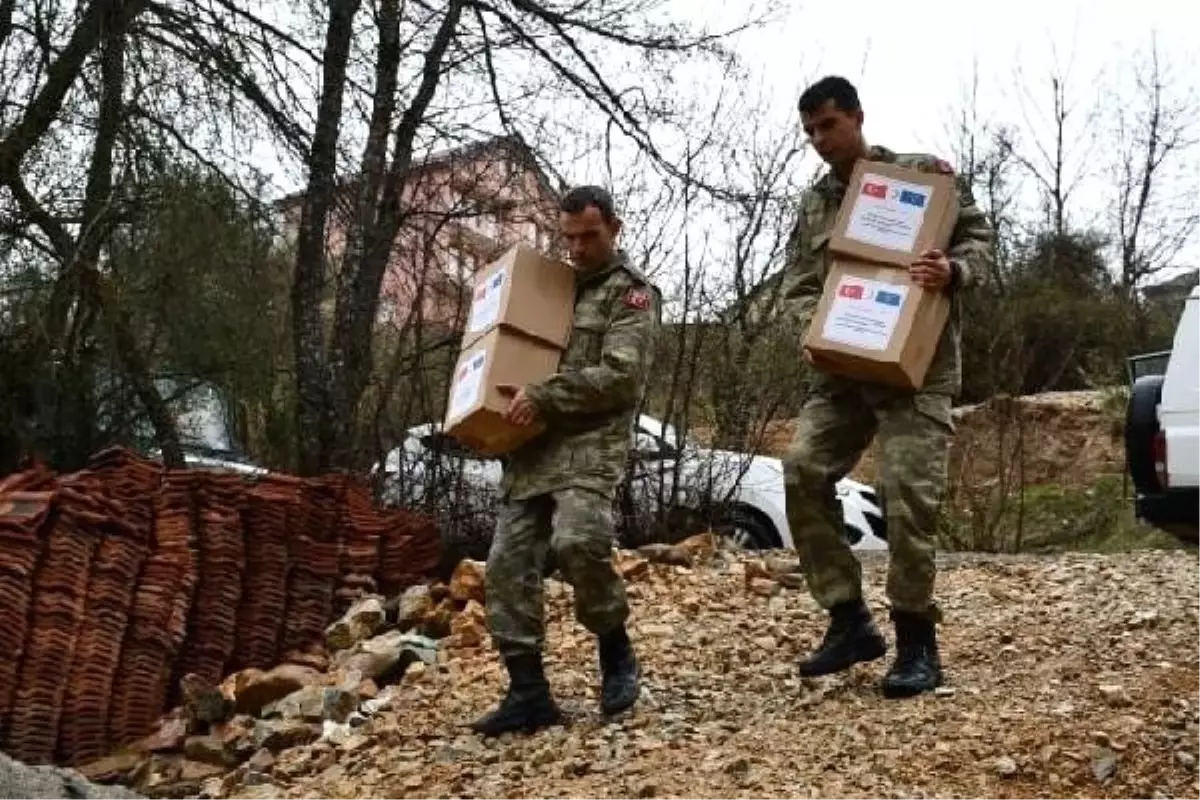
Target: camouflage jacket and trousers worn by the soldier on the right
[(843, 416)]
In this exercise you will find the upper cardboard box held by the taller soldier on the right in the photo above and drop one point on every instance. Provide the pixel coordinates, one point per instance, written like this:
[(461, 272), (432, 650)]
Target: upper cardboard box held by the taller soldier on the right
[(893, 214)]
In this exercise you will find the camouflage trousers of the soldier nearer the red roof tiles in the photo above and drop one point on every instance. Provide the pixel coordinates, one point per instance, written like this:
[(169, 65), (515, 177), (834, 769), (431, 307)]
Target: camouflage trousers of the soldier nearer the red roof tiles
[(579, 526)]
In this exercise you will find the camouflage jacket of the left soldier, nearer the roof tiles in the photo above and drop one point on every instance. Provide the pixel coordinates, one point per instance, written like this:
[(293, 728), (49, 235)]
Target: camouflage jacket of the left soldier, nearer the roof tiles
[(591, 402)]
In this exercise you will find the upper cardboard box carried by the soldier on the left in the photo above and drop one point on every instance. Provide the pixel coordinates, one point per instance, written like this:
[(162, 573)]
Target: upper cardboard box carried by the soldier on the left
[(525, 291)]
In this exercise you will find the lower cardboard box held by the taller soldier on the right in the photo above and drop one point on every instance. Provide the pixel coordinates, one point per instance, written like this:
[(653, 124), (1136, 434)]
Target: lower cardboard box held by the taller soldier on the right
[(874, 324)]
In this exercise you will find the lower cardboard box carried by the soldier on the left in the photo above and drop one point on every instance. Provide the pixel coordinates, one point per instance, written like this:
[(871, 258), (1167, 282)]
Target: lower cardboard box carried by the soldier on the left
[(476, 408)]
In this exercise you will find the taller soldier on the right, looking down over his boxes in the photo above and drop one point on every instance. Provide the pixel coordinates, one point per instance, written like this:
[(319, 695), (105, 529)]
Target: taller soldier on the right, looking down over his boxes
[(842, 418)]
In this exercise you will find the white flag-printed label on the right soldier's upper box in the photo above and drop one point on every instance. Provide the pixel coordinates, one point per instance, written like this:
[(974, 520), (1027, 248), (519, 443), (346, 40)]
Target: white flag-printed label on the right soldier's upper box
[(889, 213)]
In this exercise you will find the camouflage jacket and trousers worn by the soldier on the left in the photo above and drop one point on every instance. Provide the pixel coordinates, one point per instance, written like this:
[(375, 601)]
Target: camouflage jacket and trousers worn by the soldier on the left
[(560, 489)]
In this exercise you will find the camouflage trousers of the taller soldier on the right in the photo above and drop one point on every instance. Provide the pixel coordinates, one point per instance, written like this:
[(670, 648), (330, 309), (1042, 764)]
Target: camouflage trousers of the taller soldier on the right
[(833, 431)]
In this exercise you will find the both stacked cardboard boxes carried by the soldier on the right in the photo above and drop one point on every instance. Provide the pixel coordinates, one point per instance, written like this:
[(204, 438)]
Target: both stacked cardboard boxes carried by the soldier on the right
[(873, 323)]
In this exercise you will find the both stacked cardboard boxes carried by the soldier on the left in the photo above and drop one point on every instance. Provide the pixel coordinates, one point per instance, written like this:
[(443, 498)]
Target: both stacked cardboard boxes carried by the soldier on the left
[(520, 323)]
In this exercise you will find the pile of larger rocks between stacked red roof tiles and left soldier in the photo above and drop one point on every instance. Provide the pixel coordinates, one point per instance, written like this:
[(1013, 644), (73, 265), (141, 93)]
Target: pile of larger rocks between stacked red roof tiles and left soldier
[(259, 726)]
